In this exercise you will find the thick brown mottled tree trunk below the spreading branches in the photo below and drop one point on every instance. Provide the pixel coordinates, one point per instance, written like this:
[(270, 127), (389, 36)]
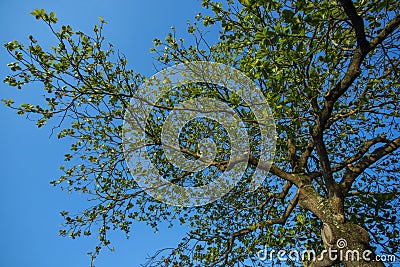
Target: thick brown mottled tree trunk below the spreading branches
[(344, 242)]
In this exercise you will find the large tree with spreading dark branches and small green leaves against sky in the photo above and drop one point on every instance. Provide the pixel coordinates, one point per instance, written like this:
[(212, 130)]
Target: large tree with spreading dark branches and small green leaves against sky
[(330, 72)]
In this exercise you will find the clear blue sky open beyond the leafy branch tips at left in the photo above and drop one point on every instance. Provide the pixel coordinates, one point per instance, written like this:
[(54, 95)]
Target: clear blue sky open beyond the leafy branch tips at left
[(29, 159)]
